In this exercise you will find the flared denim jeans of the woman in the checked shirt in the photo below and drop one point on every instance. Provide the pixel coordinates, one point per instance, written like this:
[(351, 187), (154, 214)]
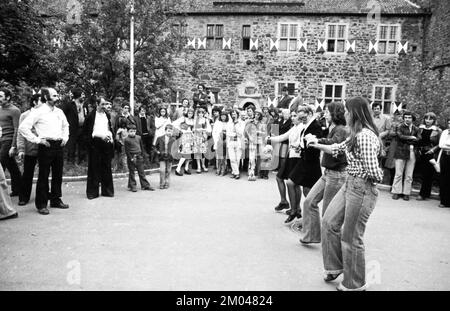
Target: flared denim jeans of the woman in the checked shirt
[(343, 229)]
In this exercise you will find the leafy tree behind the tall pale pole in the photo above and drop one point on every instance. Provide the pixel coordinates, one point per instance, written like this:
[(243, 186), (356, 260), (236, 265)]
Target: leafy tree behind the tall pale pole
[(96, 52)]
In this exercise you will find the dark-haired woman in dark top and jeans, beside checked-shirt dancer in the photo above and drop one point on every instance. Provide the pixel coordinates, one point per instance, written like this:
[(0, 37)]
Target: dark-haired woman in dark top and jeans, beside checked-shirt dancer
[(332, 179)]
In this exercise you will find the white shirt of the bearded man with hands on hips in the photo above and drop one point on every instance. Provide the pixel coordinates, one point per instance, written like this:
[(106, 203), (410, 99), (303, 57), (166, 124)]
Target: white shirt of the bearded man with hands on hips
[(48, 122)]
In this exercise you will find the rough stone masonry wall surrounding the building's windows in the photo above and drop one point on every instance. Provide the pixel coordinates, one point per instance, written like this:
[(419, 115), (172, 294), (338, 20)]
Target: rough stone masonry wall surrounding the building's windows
[(227, 69)]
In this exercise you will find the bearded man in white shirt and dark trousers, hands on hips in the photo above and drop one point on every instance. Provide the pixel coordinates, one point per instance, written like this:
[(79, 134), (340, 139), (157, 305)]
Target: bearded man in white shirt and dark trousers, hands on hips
[(52, 130)]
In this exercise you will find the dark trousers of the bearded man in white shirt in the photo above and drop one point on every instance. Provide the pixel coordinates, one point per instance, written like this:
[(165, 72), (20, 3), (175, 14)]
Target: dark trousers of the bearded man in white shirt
[(49, 158)]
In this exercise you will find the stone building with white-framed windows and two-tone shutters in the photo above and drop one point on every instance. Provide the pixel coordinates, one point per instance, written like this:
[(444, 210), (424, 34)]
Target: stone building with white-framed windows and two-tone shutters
[(322, 50)]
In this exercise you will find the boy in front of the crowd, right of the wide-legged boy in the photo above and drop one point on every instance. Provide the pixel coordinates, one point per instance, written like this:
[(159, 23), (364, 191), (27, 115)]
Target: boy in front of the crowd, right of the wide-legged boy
[(165, 149)]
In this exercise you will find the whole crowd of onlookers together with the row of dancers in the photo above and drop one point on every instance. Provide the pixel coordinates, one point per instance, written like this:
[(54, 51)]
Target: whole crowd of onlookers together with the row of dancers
[(336, 156)]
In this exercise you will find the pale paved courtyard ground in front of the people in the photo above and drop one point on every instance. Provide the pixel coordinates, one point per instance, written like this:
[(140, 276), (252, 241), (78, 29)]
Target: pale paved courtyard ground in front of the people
[(208, 233)]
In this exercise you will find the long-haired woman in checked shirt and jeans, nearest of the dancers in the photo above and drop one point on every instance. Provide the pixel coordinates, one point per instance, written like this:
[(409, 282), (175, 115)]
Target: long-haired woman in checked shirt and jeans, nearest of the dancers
[(345, 219)]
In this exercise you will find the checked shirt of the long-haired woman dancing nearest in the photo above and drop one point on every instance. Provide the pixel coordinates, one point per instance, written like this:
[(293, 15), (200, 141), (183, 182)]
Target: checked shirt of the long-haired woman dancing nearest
[(363, 160)]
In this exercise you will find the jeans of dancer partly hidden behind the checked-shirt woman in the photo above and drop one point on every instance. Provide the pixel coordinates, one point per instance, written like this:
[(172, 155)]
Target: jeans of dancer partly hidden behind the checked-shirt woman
[(325, 188)]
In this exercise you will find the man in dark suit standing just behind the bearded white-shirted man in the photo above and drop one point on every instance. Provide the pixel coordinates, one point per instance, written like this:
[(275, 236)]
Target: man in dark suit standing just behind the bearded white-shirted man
[(75, 114)]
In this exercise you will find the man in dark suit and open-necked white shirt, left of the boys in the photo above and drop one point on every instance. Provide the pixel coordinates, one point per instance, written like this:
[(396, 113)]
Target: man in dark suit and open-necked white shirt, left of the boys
[(98, 133)]
